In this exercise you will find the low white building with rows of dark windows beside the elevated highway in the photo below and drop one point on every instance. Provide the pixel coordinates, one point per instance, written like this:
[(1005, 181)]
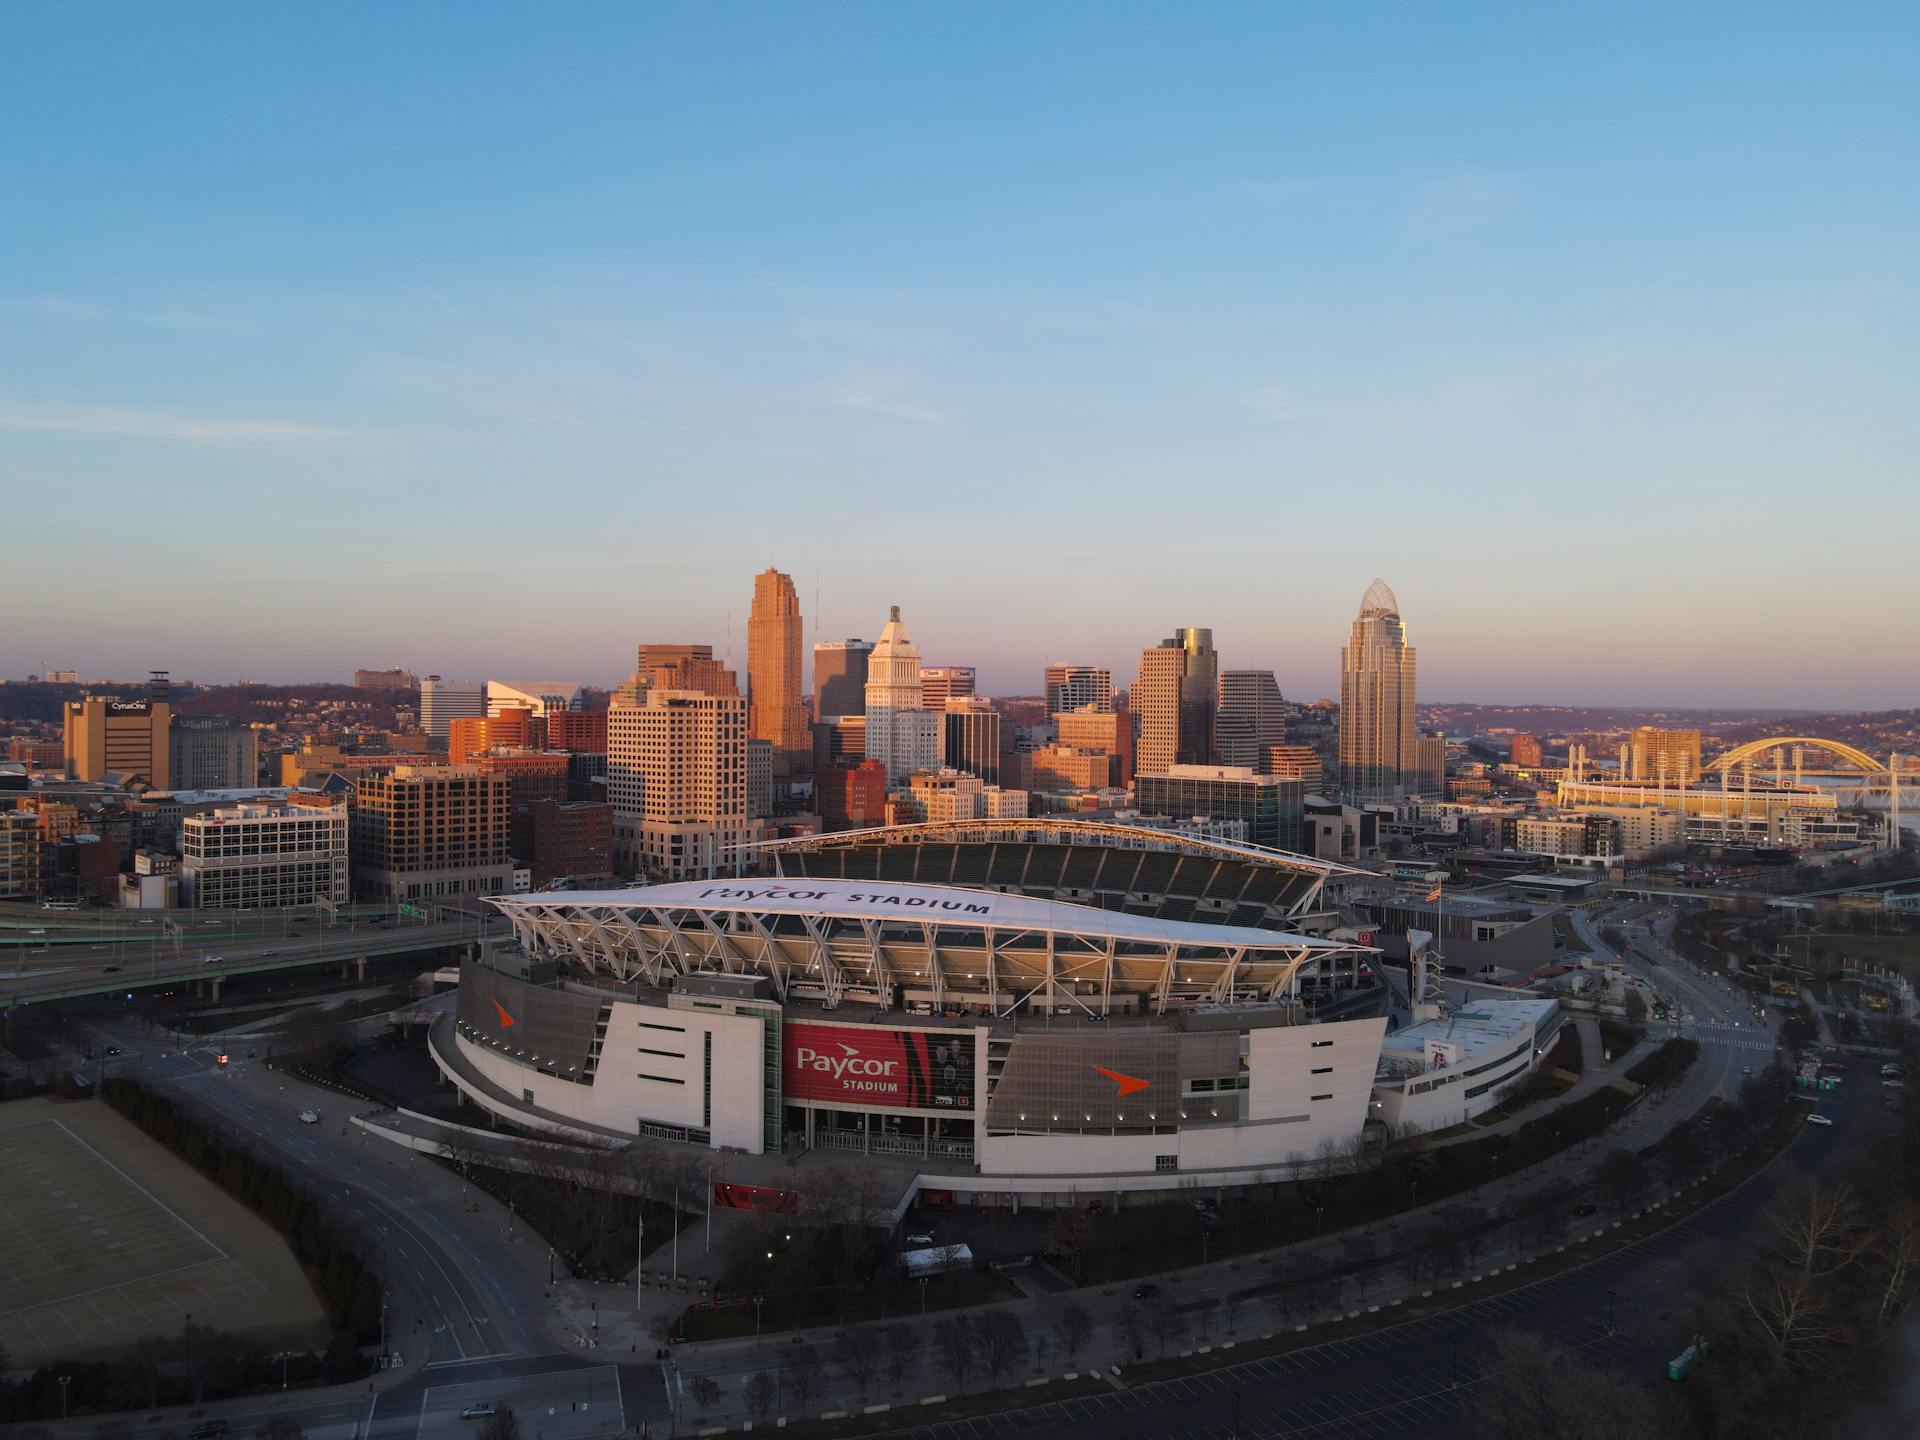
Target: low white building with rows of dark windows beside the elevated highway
[(266, 857)]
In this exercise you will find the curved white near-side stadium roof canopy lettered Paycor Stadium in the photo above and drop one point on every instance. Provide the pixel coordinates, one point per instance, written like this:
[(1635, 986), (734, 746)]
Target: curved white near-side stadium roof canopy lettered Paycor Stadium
[(876, 900)]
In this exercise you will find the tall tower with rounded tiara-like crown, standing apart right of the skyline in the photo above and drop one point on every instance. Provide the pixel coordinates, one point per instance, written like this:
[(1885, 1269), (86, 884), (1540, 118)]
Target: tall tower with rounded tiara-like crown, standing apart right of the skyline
[(1378, 757)]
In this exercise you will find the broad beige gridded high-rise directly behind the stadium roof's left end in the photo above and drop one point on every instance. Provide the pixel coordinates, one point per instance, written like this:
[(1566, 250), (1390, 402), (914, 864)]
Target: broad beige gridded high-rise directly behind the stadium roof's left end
[(677, 777)]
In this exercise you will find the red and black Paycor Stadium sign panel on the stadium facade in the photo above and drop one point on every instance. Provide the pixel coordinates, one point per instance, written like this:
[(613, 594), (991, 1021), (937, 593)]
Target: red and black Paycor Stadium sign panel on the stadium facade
[(871, 1067)]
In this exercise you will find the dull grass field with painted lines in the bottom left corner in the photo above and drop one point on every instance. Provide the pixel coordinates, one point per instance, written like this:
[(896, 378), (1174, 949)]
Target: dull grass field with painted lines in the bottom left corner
[(105, 1237)]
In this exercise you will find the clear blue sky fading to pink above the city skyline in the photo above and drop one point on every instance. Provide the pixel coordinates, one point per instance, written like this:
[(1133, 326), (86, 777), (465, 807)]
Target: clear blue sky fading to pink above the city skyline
[(494, 339)]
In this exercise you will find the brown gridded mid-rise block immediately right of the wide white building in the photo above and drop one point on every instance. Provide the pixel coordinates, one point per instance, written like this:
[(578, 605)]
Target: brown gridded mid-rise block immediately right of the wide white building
[(429, 832)]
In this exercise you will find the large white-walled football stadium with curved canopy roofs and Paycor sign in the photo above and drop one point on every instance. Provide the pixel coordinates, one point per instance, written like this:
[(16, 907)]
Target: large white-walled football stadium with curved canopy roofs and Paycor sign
[(1038, 1009)]
